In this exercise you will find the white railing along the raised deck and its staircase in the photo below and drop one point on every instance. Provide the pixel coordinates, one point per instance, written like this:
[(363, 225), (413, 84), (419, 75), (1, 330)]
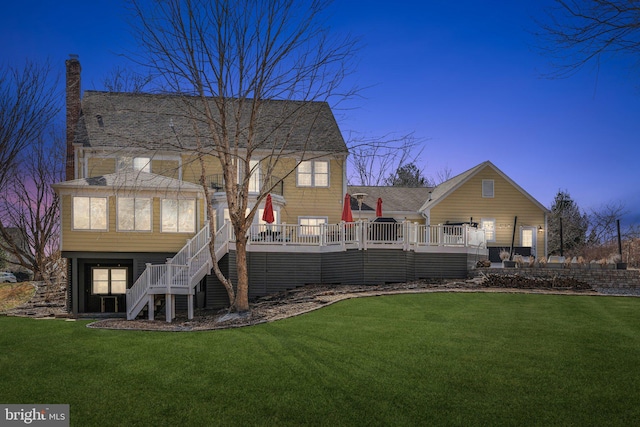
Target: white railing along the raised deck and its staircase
[(193, 261)]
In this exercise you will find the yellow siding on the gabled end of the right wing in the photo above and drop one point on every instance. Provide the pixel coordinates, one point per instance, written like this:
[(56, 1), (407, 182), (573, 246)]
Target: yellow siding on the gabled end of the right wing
[(508, 202)]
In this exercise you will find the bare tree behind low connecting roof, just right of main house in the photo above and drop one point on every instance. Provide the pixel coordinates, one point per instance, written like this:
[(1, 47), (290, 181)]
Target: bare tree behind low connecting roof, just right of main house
[(371, 159)]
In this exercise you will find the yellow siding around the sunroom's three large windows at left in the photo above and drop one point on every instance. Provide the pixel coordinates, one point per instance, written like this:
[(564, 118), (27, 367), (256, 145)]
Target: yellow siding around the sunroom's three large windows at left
[(114, 241)]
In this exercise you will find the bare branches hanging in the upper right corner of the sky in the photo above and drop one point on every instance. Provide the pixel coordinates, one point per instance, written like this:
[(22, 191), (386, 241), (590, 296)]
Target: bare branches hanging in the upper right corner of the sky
[(579, 32)]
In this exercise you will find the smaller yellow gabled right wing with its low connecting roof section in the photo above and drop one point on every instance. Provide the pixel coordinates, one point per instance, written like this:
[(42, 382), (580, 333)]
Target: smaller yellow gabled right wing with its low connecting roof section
[(483, 196)]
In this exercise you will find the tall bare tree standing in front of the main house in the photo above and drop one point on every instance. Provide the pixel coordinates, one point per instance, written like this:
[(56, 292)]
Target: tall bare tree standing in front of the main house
[(231, 57)]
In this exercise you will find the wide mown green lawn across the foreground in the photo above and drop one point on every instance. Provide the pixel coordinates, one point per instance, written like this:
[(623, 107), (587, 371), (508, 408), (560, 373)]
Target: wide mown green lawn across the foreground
[(427, 359)]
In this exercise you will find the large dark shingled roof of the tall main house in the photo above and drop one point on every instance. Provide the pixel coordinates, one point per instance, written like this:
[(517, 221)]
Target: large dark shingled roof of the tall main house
[(171, 122)]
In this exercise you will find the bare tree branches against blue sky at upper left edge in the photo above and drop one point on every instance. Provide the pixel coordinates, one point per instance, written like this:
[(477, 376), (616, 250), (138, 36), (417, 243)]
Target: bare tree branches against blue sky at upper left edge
[(28, 104)]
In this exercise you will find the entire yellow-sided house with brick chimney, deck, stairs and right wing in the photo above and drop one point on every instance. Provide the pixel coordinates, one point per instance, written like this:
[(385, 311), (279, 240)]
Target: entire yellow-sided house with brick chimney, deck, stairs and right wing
[(135, 225)]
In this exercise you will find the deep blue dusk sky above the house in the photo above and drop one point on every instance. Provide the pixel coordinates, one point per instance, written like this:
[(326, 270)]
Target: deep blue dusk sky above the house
[(464, 76)]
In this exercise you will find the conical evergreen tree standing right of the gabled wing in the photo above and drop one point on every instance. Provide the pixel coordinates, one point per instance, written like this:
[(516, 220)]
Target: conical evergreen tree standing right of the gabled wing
[(574, 225)]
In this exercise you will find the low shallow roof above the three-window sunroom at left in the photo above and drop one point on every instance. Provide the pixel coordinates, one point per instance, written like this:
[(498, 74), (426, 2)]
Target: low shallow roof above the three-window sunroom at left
[(130, 180)]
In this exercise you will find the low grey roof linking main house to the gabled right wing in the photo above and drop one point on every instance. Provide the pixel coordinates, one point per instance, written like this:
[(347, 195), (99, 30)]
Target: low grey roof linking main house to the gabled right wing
[(394, 199)]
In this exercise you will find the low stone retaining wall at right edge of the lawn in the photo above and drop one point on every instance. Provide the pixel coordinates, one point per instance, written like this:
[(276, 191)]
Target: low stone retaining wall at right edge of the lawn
[(617, 279)]
